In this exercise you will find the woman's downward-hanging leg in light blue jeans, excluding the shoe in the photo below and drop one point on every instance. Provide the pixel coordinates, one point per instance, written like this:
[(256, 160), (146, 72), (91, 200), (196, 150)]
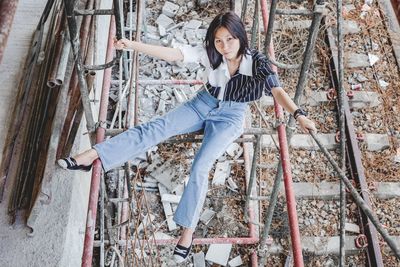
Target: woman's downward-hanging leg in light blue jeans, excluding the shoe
[(218, 135)]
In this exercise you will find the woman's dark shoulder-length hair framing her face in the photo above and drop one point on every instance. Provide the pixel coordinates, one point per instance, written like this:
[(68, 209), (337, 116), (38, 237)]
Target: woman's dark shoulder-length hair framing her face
[(234, 25)]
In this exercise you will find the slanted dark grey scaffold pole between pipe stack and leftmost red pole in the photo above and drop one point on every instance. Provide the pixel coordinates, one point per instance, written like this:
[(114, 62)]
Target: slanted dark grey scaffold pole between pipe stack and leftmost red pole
[(73, 31)]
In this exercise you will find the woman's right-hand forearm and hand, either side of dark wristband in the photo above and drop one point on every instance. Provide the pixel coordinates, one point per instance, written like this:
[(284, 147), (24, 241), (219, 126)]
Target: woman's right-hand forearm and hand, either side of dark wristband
[(287, 103)]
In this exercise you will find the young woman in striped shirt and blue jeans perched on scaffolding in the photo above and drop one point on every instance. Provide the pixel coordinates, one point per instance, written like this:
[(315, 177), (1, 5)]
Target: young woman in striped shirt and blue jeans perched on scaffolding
[(235, 75)]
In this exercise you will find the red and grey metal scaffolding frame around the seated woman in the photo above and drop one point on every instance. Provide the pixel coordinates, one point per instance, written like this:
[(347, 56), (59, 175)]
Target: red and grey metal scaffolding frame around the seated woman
[(129, 196)]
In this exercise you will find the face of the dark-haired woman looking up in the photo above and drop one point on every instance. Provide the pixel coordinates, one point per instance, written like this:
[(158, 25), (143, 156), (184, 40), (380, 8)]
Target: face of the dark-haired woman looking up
[(226, 44)]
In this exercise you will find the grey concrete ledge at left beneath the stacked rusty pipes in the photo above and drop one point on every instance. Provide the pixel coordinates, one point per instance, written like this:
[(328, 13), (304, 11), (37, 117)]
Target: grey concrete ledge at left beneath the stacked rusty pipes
[(58, 236)]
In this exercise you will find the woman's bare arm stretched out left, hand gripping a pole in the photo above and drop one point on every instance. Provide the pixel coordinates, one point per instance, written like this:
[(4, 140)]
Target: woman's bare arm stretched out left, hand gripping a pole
[(161, 52)]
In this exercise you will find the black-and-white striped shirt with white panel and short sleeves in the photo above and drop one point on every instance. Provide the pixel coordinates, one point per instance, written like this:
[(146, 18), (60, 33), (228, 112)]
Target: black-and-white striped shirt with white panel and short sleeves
[(253, 78)]
